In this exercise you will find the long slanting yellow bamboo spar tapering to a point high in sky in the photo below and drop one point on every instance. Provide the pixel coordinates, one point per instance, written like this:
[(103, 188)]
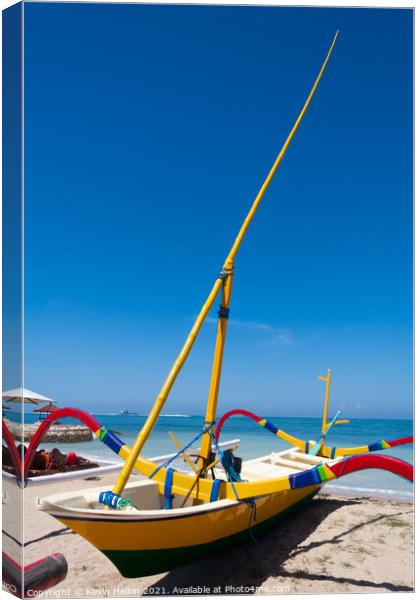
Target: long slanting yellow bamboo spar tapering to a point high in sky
[(183, 355)]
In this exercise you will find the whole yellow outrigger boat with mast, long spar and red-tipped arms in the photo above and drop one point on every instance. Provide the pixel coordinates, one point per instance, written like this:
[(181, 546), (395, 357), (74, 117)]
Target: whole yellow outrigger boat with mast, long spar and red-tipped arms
[(177, 515)]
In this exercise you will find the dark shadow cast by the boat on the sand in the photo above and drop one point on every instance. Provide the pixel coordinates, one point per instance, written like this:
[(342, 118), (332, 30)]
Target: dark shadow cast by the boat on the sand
[(265, 557)]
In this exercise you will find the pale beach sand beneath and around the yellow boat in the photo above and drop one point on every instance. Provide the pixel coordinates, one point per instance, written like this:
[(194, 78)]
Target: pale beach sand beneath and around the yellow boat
[(335, 544)]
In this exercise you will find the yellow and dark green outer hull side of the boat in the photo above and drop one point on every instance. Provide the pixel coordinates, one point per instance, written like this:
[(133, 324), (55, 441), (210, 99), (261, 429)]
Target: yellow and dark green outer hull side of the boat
[(146, 546)]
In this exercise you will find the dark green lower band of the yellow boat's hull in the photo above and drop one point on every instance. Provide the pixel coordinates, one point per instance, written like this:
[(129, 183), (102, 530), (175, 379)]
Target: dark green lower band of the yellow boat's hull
[(139, 563)]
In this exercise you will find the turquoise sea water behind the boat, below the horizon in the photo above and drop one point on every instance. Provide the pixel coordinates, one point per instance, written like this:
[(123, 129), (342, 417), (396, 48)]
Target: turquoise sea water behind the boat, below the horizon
[(256, 441)]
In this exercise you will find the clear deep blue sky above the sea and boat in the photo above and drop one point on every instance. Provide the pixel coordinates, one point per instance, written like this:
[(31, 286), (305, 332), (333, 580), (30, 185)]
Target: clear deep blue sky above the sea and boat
[(148, 133)]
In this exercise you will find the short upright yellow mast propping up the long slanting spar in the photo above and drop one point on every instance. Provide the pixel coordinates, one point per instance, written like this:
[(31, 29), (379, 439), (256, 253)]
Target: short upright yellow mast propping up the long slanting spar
[(217, 366)]
